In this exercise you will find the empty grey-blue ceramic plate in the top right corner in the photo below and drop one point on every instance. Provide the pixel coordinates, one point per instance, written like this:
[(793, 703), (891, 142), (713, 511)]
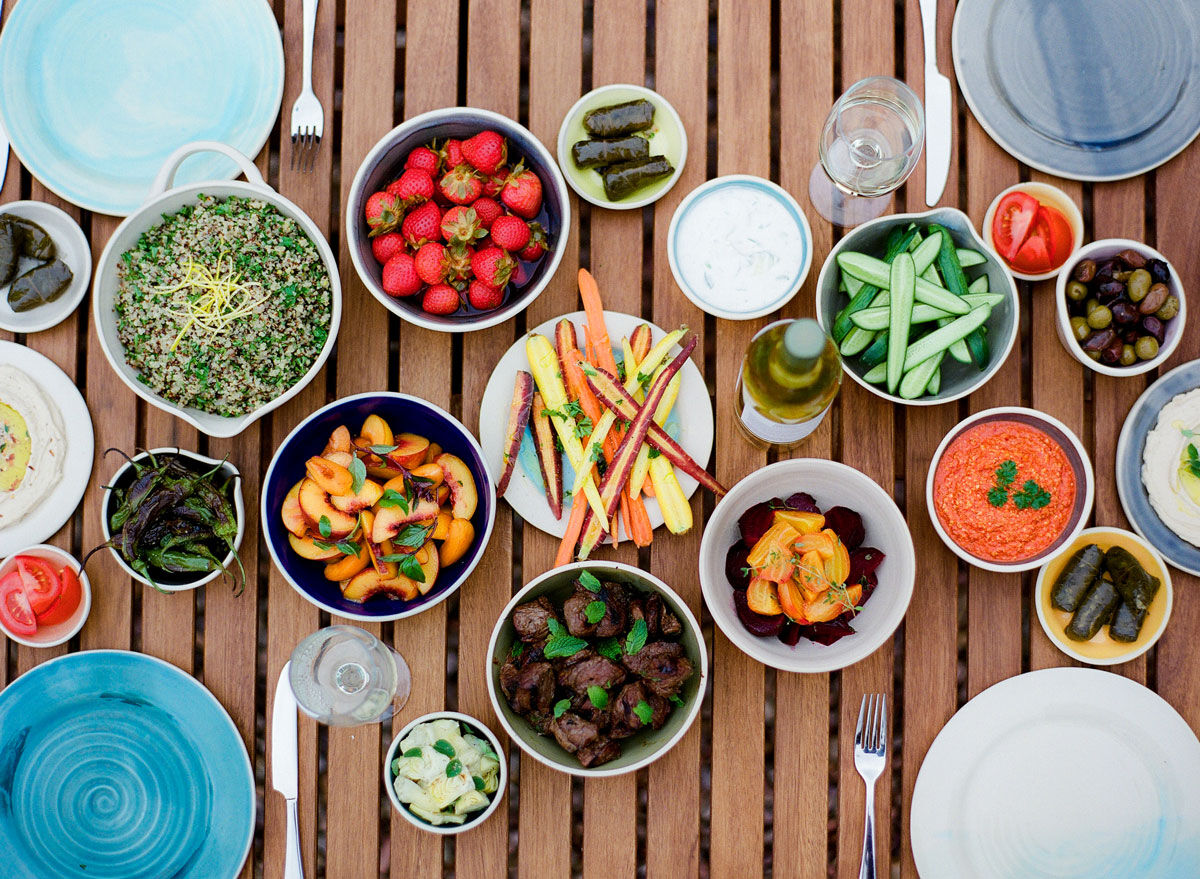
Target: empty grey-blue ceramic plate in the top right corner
[(1085, 89)]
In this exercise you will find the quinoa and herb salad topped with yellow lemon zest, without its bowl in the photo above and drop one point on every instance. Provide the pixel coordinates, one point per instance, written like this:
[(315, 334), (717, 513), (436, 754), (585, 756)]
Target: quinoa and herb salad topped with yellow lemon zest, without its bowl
[(224, 307)]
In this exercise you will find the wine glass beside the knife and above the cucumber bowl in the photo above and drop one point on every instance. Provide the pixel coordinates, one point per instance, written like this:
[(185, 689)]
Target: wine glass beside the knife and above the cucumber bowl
[(869, 146)]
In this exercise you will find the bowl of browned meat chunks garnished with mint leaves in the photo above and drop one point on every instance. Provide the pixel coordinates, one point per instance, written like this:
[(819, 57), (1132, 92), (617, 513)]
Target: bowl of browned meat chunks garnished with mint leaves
[(597, 669)]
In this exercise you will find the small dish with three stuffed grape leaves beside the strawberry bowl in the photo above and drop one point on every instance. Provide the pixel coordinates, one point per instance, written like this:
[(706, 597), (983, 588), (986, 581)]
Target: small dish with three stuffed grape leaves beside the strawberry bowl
[(622, 147)]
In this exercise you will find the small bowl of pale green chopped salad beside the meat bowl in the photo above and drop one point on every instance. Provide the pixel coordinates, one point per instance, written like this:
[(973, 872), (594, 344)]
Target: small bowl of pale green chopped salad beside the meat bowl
[(446, 773)]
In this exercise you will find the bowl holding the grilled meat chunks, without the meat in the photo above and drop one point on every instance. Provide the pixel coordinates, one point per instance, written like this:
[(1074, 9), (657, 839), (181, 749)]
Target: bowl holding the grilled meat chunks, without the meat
[(645, 748)]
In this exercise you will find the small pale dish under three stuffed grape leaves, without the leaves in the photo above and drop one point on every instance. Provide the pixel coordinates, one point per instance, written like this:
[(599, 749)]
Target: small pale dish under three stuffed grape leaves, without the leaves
[(669, 140)]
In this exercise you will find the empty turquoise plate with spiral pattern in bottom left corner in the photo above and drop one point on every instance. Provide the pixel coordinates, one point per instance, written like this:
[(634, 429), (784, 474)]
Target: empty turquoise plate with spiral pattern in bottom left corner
[(116, 766)]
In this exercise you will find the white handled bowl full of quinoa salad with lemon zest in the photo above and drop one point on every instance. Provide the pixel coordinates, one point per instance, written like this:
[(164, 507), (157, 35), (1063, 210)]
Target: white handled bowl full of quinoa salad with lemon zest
[(218, 302)]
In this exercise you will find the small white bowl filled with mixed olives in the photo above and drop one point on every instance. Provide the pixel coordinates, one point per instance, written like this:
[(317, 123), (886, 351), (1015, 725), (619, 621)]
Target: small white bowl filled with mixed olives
[(1121, 308)]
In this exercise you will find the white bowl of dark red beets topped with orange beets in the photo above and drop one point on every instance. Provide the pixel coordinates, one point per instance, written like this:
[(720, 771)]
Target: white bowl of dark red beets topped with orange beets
[(807, 566)]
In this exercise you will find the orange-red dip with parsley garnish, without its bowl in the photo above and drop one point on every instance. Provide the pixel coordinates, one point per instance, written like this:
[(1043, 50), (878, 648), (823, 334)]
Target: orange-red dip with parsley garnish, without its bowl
[(1004, 491)]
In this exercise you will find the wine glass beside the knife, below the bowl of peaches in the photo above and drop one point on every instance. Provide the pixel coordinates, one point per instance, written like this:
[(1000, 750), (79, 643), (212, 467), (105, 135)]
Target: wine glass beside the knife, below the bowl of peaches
[(344, 677)]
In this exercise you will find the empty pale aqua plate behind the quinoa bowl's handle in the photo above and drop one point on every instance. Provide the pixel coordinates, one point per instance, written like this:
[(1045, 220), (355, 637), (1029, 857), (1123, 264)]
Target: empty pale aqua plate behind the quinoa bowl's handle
[(95, 94)]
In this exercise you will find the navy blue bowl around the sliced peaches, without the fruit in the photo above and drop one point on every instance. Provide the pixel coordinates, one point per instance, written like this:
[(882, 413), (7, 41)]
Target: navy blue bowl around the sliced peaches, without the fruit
[(323, 593)]
